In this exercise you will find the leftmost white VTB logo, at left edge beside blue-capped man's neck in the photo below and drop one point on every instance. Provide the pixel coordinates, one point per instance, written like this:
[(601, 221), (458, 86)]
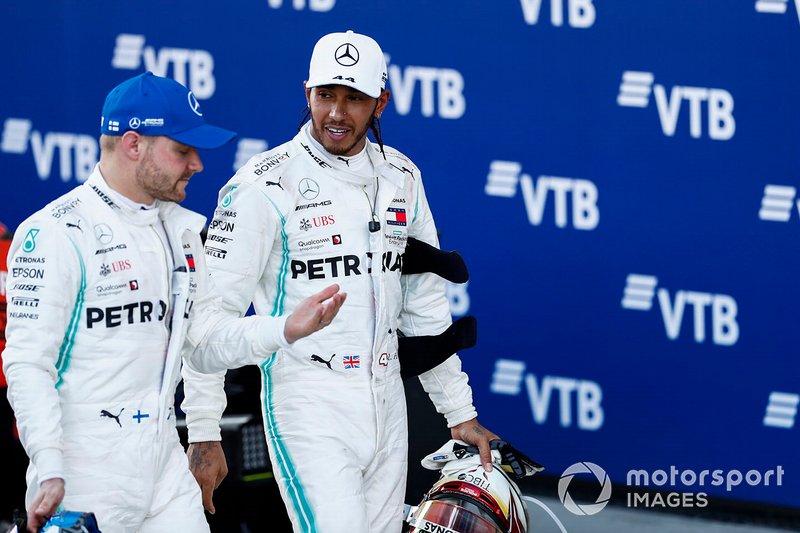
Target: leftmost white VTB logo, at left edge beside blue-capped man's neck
[(78, 153)]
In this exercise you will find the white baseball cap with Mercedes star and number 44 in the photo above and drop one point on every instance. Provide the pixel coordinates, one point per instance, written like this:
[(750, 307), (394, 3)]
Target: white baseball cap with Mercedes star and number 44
[(348, 59)]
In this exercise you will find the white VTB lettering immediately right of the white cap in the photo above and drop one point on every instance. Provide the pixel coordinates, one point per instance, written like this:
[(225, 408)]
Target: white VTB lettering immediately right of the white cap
[(441, 90)]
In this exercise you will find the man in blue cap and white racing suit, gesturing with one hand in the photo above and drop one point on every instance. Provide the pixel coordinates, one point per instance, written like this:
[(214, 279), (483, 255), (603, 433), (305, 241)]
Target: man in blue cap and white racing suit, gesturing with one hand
[(101, 285)]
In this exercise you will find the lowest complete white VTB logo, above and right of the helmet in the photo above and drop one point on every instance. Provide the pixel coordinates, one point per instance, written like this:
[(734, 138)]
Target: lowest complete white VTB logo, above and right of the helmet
[(579, 396)]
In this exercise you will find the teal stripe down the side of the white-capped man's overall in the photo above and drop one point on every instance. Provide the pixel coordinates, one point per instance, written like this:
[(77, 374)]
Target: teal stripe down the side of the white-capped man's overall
[(292, 481)]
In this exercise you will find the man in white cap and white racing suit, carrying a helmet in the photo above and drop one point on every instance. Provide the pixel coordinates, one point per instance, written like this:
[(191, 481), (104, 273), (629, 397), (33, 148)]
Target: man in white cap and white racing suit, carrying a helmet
[(330, 206)]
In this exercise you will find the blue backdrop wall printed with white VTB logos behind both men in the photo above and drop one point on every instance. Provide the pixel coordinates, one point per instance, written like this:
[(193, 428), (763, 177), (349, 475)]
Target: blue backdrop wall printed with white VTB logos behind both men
[(620, 177)]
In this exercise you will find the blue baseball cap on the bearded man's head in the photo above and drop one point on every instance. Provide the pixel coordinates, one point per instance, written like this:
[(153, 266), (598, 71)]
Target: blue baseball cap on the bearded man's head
[(152, 105)]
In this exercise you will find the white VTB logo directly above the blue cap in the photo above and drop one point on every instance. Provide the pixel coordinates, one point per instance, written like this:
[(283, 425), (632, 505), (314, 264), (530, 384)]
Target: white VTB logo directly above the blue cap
[(191, 68)]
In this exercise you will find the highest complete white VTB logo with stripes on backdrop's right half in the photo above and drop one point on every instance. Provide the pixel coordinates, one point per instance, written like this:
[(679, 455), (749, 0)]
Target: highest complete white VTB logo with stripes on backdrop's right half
[(635, 90)]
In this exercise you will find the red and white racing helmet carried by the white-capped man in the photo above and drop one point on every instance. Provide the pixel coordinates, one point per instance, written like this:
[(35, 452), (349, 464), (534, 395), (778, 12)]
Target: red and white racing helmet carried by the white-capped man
[(467, 498)]
